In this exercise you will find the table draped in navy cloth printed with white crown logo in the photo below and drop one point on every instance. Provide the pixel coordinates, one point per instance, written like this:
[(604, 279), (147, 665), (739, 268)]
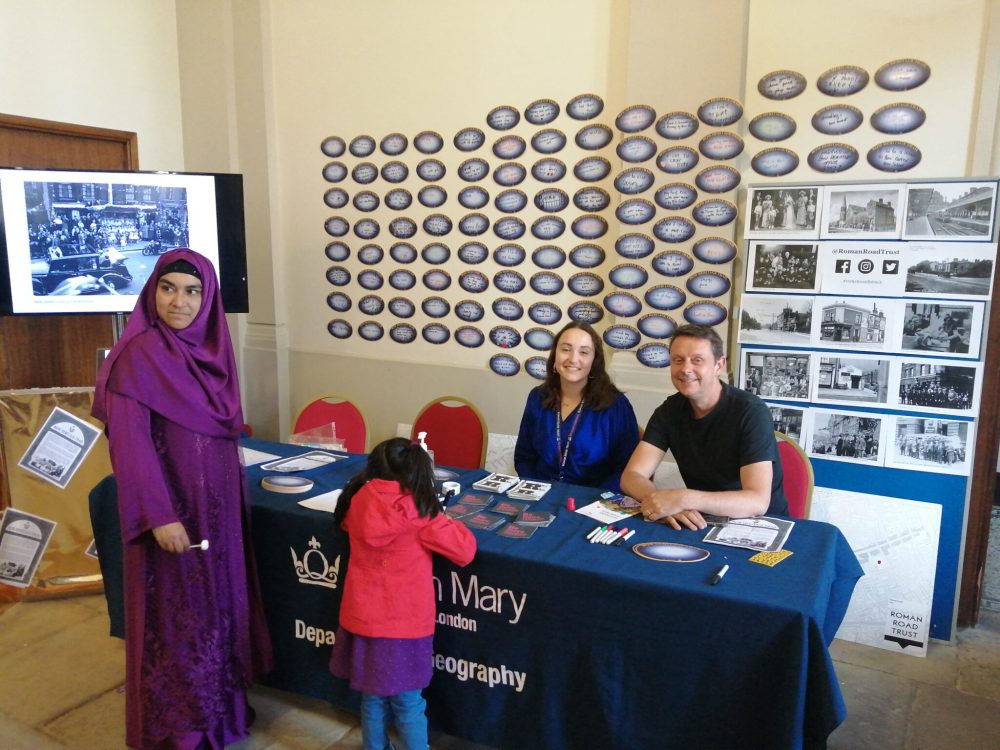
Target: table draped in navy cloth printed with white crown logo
[(553, 642)]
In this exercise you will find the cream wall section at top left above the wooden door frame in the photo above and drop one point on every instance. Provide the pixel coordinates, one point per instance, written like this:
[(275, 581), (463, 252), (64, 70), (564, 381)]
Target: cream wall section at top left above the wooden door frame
[(105, 63)]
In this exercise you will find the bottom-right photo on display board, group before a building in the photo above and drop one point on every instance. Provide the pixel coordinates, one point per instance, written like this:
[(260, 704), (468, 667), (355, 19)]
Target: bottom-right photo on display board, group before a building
[(935, 444)]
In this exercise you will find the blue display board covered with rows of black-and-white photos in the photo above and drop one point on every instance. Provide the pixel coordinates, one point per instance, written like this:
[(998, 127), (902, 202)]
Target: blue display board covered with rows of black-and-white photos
[(861, 326)]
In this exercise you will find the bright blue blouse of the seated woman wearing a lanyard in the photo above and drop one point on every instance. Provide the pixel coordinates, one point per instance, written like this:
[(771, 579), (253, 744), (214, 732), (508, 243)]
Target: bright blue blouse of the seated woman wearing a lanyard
[(602, 443)]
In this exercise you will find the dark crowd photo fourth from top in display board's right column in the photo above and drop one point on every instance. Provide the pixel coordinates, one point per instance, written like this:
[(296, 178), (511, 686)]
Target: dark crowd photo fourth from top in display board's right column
[(937, 386)]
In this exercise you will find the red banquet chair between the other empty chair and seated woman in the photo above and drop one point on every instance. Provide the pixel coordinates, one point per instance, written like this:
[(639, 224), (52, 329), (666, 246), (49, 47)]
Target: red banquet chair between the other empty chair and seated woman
[(456, 432)]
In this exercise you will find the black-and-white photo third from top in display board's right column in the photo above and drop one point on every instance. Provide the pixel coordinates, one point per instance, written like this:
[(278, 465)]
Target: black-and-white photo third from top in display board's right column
[(945, 328)]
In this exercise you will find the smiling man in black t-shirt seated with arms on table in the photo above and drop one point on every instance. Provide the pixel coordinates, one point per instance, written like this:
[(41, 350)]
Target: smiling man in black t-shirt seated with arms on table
[(722, 439)]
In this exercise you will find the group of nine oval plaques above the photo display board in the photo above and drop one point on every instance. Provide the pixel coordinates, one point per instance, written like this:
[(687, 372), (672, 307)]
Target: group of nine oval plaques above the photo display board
[(840, 118)]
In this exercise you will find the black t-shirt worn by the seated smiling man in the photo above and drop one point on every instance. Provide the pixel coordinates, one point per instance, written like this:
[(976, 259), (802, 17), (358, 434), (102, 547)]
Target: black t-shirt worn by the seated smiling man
[(711, 451)]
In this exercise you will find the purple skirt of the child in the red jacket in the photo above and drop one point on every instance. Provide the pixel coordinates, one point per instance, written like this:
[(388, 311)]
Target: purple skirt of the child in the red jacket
[(382, 666)]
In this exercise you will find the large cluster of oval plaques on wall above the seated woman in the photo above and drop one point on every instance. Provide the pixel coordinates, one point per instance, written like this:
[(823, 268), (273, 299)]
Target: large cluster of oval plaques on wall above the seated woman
[(633, 211)]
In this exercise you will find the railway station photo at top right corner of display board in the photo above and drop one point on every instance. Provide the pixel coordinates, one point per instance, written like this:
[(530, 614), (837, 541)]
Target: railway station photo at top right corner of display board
[(950, 211)]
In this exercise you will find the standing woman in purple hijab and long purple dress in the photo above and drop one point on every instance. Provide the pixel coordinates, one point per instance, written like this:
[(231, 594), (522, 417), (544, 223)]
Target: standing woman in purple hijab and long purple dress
[(195, 633)]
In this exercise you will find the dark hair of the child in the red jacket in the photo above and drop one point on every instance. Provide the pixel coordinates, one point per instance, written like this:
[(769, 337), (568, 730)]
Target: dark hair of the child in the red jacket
[(398, 460)]
